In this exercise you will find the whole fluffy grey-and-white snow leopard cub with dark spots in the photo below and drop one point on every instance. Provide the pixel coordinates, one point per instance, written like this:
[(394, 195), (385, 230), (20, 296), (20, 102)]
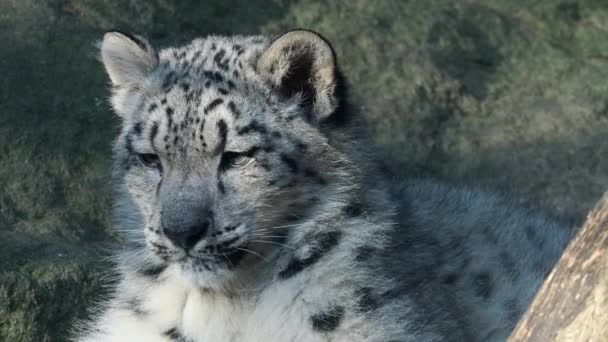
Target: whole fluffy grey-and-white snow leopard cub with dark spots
[(254, 212)]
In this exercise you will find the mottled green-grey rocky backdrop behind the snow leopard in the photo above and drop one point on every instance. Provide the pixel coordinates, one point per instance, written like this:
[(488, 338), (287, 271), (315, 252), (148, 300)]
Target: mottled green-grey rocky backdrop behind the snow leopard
[(502, 93)]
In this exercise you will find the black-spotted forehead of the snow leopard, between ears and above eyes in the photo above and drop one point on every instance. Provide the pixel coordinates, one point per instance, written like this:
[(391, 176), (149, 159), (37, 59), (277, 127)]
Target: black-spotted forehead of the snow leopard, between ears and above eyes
[(204, 96)]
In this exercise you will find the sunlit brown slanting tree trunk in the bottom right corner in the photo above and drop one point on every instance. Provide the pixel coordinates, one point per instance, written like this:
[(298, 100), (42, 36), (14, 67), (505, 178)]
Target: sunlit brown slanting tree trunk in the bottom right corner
[(572, 304)]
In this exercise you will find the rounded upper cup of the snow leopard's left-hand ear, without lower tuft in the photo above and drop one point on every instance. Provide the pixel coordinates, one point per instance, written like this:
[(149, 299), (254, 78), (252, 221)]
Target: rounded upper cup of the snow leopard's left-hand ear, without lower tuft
[(128, 59)]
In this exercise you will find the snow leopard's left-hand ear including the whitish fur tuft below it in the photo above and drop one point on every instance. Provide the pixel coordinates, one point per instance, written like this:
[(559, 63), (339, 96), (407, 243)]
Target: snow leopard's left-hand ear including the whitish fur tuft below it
[(128, 60)]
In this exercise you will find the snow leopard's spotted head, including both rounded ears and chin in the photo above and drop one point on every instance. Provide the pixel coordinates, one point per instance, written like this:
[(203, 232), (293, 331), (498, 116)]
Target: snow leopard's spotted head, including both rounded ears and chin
[(222, 147)]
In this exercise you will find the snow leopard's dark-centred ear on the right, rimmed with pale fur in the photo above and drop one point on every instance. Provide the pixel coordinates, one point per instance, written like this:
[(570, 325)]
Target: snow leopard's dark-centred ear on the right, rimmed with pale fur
[(302, 64)]
